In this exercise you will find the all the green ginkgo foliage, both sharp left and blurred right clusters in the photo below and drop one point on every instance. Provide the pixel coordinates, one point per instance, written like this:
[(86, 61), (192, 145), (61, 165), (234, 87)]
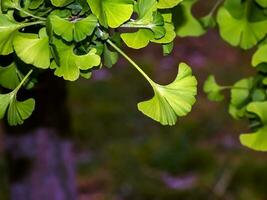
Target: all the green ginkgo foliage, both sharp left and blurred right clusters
[(73, 38)]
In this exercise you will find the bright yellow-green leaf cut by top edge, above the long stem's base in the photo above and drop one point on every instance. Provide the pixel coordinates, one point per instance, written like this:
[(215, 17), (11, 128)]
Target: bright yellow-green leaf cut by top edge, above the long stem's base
[(112, 13)]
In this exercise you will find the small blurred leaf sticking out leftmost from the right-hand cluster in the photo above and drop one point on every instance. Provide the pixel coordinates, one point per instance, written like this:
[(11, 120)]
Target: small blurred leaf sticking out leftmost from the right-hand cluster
[(212, 89)]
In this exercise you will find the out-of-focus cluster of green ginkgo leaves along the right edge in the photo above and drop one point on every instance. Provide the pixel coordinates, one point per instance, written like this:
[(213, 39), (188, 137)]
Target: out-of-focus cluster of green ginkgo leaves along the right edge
[(243, 24)]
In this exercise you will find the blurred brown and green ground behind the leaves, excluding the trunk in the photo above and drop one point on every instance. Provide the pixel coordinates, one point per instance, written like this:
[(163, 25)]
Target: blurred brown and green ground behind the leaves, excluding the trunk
[(122, 155)]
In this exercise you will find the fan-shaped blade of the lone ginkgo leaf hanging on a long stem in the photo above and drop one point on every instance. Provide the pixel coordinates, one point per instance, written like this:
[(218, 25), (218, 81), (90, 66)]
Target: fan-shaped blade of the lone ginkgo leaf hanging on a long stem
[(173, 100)]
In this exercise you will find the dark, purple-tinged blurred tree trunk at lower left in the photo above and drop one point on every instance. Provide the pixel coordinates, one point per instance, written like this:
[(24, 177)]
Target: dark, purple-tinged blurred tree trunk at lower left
[(40, 153)]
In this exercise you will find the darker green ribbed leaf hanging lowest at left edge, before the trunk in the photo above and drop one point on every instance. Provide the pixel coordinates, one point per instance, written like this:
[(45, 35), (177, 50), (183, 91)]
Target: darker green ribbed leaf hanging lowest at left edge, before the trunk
[(17, 111)]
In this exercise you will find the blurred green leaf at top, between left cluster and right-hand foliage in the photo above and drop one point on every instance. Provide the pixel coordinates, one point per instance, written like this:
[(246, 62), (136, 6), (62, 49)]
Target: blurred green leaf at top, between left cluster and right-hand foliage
[(186, 24)]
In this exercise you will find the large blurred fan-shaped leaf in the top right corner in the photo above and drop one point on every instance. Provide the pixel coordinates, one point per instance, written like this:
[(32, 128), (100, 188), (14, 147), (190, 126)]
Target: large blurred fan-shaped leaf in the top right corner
[(239, 26)]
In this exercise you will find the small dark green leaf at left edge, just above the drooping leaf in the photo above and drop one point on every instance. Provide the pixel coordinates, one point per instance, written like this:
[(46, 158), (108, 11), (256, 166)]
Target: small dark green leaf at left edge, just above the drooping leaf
[(9, 76)]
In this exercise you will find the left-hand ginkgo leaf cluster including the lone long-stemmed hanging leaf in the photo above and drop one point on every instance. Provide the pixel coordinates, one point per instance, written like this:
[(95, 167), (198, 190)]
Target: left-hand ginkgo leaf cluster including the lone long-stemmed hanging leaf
[(73, 38)]
